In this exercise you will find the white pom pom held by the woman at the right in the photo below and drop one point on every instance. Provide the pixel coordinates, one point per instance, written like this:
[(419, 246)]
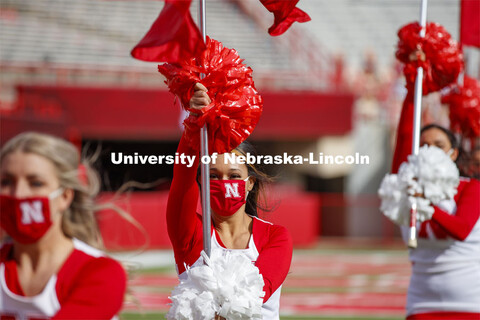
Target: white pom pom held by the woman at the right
[(431, 173)]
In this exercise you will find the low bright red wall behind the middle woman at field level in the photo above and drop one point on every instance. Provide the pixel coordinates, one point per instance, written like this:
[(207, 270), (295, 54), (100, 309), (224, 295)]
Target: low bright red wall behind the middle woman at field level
[(298, 211)]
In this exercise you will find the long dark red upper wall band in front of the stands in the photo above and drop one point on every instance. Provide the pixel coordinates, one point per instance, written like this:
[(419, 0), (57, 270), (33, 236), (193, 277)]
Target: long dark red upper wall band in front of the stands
[(146, 114)]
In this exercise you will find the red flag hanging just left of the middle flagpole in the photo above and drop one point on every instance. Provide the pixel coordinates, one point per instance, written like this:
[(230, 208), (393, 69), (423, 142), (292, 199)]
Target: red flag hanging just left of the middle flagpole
[(172, 37)]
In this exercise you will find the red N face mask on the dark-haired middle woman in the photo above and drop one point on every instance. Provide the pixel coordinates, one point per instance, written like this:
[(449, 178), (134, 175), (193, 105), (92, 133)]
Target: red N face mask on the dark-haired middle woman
[(227, 196)]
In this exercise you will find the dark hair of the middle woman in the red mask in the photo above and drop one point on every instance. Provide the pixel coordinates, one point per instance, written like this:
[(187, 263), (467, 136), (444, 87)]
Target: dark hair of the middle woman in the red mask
[(256, 198)]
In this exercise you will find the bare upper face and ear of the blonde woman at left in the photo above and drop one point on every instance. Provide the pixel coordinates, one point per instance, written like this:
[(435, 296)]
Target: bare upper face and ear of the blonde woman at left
[(28, 175)]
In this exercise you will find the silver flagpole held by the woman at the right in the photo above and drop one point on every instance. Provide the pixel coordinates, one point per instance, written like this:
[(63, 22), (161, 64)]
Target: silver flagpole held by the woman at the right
[(412, 240)]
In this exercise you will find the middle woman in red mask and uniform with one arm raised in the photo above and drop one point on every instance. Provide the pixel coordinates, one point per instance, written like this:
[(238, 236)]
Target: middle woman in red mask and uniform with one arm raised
[(234, 192)]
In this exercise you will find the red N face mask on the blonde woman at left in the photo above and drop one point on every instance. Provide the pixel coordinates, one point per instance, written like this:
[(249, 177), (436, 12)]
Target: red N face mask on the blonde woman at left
[(26, 220)]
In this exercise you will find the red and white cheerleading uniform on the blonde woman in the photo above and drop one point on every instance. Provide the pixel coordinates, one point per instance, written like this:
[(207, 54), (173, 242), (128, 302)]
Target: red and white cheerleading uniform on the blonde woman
[(89, 285)]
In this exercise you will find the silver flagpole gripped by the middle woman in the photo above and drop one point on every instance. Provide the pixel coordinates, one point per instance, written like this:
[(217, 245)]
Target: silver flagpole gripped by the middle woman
[(205, 168)]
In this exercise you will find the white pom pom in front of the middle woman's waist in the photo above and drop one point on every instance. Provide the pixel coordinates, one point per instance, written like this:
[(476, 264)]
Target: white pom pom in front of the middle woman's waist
[(228, 285)]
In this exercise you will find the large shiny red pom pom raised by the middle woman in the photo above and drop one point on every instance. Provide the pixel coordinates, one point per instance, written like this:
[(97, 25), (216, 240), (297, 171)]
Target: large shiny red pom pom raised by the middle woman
[(236, 105)]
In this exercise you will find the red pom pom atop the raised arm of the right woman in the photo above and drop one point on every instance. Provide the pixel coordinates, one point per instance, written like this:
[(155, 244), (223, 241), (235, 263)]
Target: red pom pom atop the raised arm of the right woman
[(443, 58)]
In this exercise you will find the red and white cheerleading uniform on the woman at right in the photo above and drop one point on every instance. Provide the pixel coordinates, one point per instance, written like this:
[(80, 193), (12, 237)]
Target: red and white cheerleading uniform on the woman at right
[(445, 281)]
